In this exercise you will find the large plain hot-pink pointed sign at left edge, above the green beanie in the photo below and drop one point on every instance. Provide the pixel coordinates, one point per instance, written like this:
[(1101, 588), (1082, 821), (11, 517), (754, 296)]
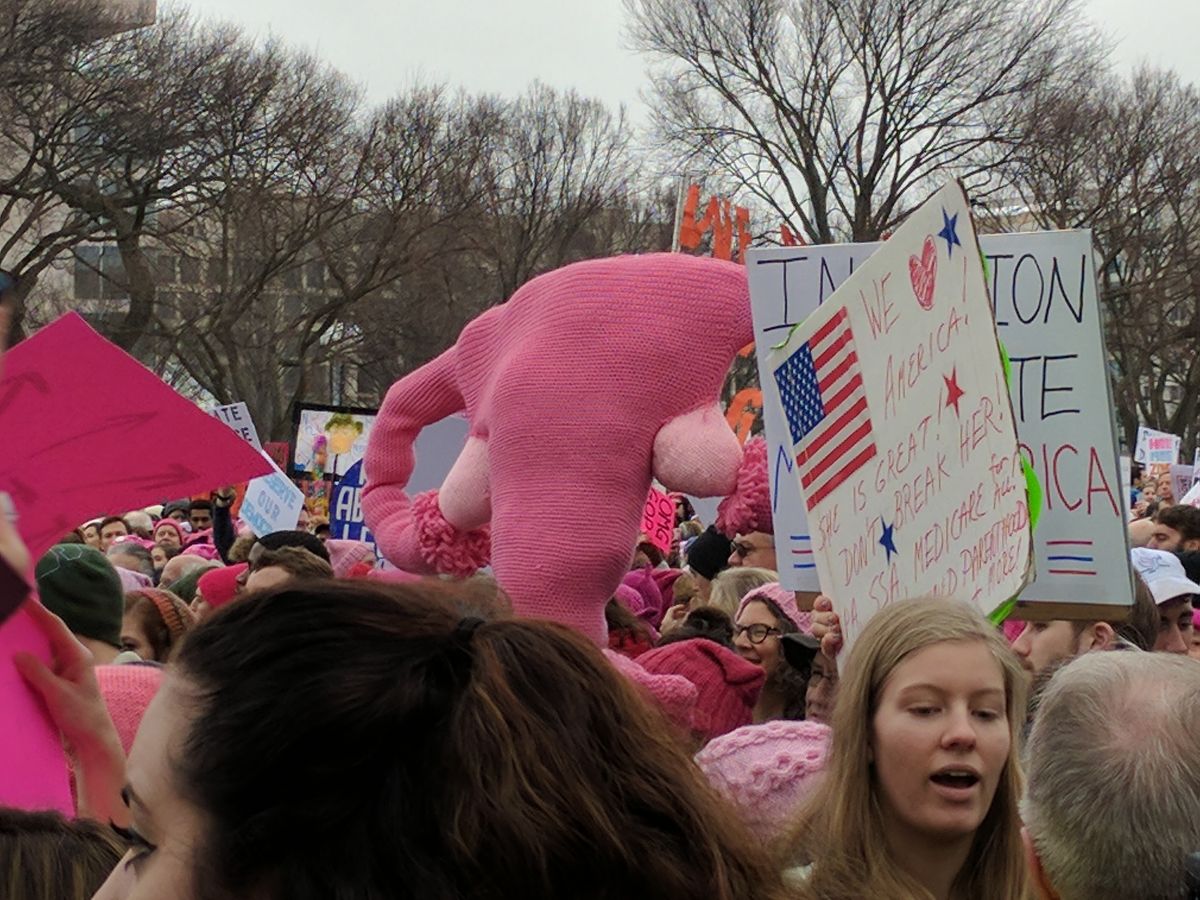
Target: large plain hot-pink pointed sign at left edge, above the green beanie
[(70, 454)]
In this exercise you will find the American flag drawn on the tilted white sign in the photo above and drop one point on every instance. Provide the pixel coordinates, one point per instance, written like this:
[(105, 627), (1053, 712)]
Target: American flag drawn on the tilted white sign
[(826, 407)]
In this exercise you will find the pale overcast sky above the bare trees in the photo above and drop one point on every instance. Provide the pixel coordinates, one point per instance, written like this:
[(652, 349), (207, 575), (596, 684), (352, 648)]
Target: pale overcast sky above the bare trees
[(502, 46)]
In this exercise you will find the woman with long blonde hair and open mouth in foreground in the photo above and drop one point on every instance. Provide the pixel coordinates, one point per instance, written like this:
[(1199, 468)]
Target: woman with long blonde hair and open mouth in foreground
[(923, 783)]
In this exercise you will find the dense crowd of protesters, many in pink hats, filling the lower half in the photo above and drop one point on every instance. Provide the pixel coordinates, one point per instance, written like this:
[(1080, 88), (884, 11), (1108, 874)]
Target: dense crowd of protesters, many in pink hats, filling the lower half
[(278, 717)]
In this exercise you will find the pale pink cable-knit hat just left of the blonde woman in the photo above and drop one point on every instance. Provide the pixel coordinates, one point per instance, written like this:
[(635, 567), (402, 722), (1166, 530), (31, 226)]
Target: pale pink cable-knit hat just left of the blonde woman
[(767, 771)]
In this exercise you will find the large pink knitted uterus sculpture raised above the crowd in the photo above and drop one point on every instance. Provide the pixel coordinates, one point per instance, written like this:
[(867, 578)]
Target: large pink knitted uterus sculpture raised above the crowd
[(591, 381)]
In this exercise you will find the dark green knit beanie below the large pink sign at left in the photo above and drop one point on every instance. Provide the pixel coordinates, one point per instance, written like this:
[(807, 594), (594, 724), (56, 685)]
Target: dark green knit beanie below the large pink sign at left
[(79, 585)]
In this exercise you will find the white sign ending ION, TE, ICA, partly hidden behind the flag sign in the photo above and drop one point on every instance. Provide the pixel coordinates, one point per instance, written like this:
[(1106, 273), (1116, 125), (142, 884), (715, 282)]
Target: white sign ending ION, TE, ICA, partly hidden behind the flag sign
[(1049, 320)]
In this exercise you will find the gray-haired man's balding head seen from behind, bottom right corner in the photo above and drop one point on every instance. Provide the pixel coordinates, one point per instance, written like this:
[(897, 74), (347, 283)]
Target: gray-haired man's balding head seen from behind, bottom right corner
[(1113, 806)]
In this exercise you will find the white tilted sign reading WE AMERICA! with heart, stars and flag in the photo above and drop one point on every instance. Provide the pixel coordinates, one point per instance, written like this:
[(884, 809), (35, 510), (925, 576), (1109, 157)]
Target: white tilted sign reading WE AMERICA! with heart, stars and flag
[(902, 429)]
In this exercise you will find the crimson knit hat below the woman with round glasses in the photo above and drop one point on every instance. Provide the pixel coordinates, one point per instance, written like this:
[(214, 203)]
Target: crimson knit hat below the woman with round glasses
[(728, 687)]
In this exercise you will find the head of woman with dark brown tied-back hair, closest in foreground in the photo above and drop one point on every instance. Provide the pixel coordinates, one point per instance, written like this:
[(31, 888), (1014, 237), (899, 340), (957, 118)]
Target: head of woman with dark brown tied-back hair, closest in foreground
[(362, 741)]
